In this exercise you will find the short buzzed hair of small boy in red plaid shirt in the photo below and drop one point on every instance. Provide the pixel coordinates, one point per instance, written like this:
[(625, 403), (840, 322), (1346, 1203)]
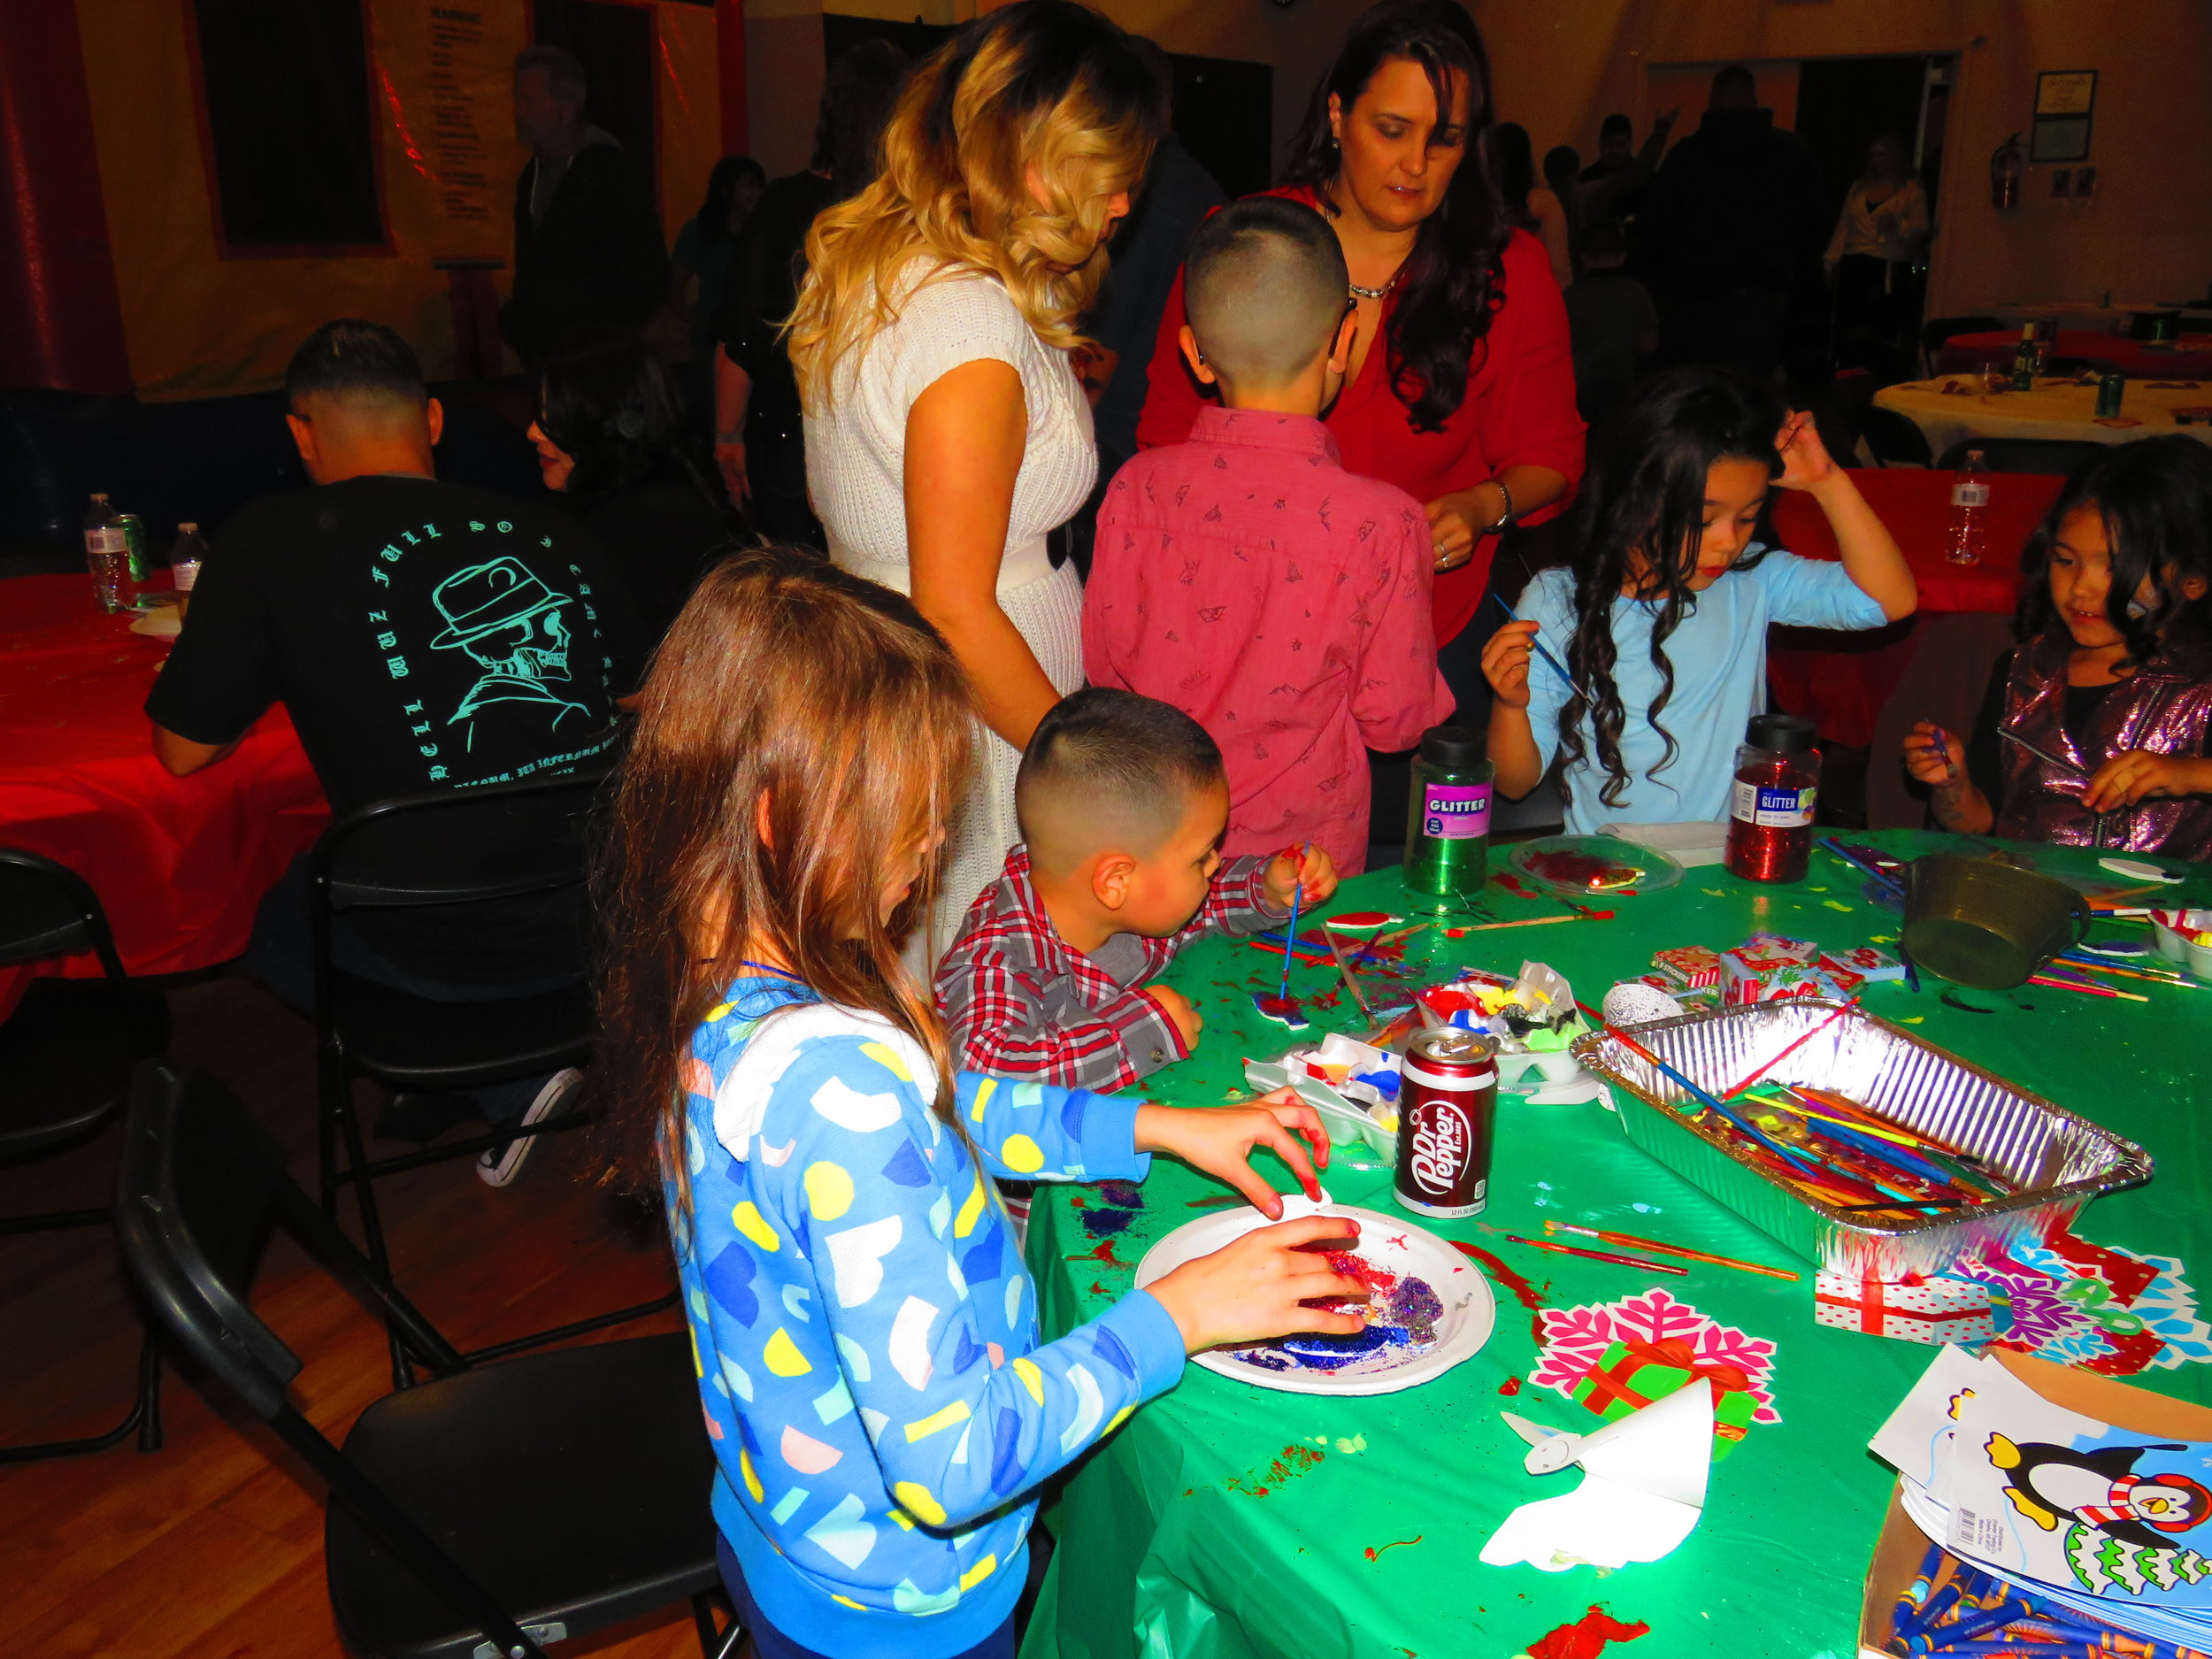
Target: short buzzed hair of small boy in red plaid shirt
[(1109, 771)]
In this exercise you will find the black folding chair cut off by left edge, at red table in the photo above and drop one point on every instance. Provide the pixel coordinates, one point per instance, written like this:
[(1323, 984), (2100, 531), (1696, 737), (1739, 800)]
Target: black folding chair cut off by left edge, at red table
[(65, 1061)]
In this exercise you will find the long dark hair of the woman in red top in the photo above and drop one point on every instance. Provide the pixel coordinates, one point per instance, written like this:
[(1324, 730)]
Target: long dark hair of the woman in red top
[(1454, 280)]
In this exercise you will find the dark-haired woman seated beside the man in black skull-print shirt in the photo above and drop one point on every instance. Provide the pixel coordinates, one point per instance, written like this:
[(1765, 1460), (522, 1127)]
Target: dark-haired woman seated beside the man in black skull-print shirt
[(612, 439)]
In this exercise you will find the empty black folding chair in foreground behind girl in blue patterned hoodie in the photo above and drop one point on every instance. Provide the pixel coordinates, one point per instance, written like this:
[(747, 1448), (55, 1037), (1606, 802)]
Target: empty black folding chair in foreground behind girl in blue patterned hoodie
[(508, 1505)]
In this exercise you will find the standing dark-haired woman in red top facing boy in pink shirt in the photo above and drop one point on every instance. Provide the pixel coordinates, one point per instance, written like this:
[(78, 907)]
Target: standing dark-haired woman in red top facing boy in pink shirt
[(1470, 406)]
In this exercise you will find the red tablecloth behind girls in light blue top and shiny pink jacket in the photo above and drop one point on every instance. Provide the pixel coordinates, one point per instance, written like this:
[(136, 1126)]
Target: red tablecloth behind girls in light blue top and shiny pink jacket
[(1844, 682)]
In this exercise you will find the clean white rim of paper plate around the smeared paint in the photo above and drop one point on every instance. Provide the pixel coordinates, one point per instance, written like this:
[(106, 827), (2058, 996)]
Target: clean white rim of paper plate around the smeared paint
[(1388, 1242)]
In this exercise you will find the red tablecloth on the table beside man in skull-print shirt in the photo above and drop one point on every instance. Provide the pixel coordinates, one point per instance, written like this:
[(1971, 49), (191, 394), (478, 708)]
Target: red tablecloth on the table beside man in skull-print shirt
[(178, 864)]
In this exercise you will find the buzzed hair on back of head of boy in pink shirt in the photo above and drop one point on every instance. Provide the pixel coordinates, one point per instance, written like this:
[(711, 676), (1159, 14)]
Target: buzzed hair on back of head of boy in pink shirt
[(1264, 289)]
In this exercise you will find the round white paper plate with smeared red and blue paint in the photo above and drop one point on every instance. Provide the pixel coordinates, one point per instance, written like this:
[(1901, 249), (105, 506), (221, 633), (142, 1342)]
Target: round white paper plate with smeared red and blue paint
[(1430, 1306)]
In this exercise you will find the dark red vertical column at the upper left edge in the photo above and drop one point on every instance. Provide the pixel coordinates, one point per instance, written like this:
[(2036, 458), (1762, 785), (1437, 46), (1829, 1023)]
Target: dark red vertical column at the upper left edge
[(61, 324)]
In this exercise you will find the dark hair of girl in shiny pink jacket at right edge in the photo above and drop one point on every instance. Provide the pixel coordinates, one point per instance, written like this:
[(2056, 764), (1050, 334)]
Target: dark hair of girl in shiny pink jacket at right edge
[(2156, 499)]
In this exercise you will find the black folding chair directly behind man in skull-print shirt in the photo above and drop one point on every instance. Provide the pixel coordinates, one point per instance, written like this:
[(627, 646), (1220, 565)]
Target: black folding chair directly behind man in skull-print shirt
[(466, 862)]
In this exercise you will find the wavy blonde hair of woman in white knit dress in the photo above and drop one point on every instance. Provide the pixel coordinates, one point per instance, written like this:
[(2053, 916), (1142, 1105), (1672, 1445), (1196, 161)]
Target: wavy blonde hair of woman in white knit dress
[(1041, 92)]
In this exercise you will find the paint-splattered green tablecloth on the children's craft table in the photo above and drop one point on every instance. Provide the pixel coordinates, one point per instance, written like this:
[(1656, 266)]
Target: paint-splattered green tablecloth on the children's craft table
[(1229, 1521)]
